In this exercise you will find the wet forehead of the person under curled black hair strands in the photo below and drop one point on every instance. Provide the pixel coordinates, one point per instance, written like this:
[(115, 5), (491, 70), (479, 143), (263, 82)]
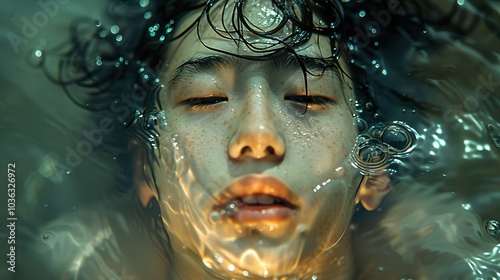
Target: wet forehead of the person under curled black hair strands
[(254, 28)]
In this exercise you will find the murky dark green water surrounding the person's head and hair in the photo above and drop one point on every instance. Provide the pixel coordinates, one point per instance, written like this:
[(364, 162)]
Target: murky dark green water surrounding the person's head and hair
[(75, 195)]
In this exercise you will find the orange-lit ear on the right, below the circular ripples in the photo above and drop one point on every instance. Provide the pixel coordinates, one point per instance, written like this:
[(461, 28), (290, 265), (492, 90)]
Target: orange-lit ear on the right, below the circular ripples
[(372, 190)]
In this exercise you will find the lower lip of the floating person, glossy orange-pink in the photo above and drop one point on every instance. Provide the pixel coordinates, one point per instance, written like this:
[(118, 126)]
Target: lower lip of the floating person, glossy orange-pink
[(262, 213)]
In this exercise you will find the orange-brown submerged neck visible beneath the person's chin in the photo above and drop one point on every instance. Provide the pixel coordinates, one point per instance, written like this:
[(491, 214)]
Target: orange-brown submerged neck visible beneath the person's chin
[(335, 263)]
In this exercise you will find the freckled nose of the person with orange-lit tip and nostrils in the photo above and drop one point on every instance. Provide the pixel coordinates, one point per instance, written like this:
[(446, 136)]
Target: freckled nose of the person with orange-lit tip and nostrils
[(256, 135)]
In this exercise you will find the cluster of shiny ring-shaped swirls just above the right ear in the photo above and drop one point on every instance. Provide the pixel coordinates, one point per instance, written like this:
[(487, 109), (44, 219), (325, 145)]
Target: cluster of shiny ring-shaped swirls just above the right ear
[(379, 145)]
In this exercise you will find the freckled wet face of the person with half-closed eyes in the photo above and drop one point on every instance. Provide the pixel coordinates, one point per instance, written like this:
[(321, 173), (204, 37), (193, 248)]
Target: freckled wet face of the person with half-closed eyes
[(238, 134)]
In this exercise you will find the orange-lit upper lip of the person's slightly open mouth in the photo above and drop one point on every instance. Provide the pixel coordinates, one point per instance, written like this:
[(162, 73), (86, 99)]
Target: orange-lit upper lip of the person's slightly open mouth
[(257, 185)]
